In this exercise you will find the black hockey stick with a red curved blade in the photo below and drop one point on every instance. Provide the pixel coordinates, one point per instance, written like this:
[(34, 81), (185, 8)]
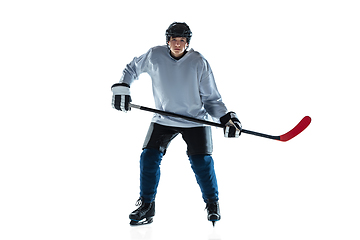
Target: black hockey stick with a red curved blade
[(283, 138)]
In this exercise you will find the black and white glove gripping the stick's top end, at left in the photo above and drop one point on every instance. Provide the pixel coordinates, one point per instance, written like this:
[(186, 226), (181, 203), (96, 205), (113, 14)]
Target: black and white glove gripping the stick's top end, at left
[(121, 96)]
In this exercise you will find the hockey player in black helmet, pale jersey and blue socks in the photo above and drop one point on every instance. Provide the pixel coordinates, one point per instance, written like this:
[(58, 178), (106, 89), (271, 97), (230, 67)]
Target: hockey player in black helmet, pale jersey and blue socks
[(182, 82)]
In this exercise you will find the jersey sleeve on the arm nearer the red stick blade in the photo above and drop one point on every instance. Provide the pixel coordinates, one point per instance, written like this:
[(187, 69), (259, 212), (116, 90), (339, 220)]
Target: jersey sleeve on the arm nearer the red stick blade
[(210, 95)]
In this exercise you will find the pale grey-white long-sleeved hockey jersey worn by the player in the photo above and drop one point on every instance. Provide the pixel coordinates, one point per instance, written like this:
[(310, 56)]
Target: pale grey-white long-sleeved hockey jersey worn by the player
[(185, 86)]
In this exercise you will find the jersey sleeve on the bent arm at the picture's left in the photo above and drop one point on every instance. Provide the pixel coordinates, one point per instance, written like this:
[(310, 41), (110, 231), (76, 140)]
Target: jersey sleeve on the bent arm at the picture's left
[(137, 66)]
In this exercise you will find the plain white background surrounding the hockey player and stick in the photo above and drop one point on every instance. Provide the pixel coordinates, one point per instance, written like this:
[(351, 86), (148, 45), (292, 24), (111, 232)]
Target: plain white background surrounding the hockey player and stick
[(69, 162)]
